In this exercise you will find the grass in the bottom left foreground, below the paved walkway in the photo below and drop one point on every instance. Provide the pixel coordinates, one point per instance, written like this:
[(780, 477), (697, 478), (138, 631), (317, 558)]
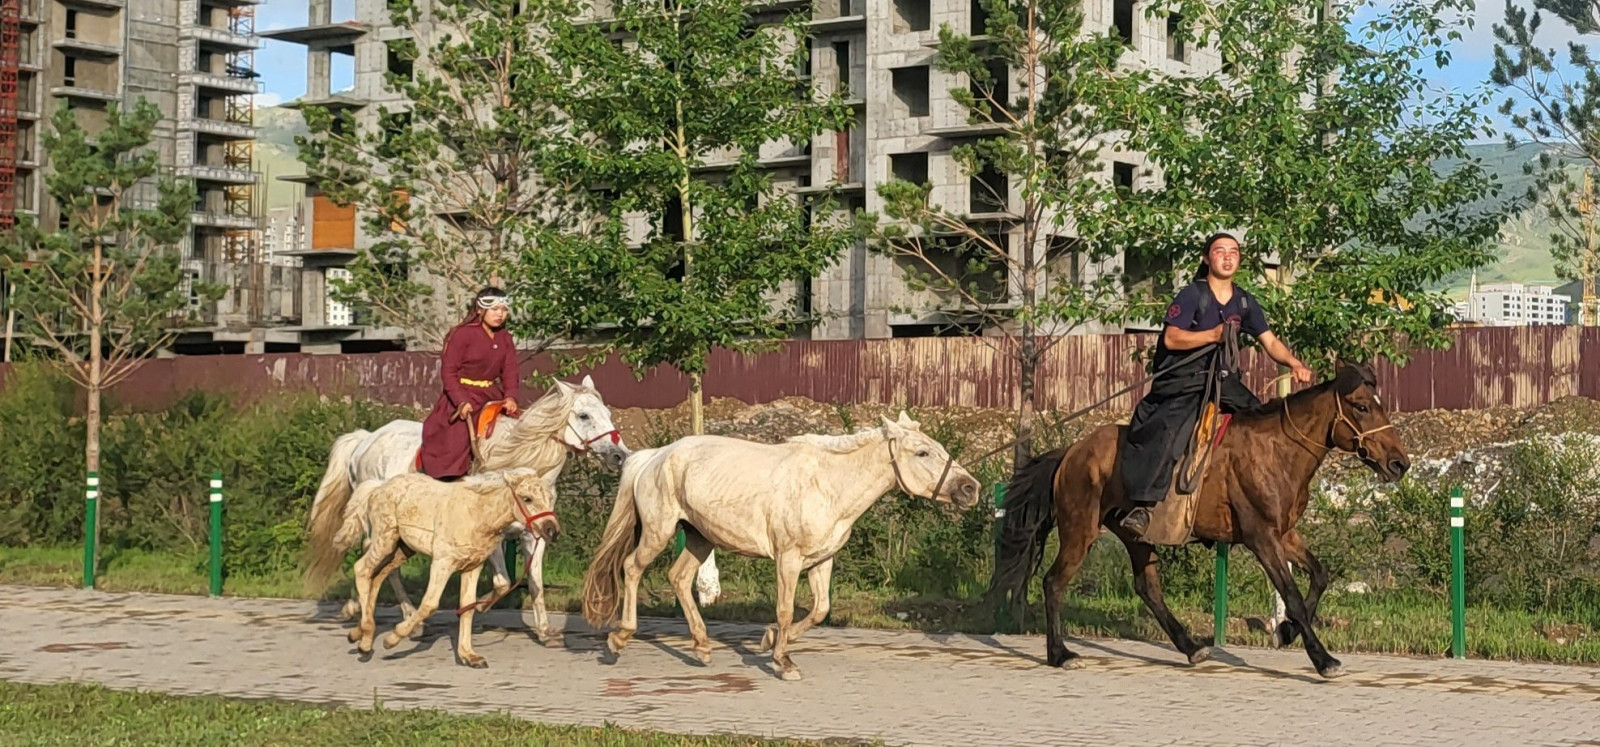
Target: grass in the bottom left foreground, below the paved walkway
[(90, 714)]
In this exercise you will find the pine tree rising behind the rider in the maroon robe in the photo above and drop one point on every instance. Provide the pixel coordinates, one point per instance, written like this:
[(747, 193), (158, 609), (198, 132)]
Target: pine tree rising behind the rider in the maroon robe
[(447, 183)]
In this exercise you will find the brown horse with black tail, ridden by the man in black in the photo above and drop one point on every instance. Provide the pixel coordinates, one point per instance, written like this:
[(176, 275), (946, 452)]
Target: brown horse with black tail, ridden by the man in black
[(1254, 493)]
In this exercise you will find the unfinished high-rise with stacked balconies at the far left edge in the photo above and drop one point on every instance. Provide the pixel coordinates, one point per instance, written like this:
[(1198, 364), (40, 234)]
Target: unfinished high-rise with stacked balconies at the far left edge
[(194, 62)]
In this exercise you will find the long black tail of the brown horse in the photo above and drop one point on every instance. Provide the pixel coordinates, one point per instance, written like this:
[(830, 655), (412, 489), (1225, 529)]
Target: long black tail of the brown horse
[(1030, 516)]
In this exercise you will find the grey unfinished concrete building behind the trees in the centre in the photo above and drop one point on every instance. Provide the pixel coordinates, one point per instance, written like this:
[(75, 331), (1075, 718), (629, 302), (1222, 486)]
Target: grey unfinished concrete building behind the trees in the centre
[(879, 54)]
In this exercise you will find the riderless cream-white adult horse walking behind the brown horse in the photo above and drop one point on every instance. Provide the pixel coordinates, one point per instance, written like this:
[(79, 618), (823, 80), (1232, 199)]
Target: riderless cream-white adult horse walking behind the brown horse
[(794, 503)]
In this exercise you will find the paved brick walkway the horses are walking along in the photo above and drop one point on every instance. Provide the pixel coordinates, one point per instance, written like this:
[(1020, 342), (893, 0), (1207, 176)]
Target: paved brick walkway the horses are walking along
[(903, 689)]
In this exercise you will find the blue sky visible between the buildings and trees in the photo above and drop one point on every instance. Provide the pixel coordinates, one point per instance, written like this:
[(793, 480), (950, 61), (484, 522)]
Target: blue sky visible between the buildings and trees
[(284, 65)]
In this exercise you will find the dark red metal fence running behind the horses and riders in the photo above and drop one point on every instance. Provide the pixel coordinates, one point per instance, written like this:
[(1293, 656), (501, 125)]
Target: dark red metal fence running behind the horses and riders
[(1487, 367)]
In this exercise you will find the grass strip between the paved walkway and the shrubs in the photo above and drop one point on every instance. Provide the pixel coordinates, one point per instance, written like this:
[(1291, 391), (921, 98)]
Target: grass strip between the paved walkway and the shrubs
[(1382, 621)]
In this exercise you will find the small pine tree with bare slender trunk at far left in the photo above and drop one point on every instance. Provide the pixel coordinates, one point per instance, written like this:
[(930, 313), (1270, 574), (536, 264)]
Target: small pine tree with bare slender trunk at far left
[(105, 289)]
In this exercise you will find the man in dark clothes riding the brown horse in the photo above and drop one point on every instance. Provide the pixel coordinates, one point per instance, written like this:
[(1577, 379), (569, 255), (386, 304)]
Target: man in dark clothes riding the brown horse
[(1207, 314)]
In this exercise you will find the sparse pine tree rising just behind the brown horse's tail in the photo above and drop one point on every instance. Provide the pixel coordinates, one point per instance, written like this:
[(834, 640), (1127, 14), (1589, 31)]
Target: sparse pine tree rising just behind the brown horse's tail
[(1015, 260)]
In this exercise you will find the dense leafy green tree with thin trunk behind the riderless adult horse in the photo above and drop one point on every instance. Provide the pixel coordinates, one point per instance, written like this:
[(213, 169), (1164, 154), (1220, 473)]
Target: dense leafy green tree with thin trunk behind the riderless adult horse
[(673, 105)]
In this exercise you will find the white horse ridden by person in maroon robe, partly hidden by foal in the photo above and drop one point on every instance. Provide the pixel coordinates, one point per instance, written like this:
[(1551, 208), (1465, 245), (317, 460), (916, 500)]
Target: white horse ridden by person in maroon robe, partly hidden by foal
[(567, 420)]
